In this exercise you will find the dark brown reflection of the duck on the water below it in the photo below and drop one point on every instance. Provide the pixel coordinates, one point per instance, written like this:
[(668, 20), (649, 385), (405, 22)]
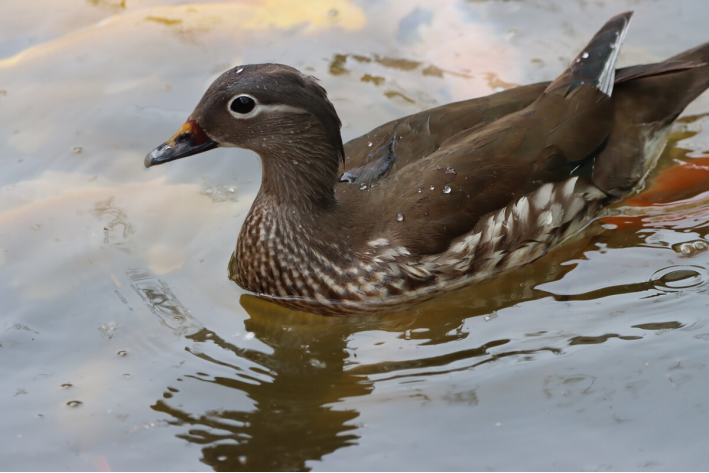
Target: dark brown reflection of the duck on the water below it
[(296, 389)]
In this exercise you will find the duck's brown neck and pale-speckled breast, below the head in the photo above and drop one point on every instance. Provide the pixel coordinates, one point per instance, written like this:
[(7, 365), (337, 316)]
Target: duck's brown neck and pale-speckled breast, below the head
[(295, 227)]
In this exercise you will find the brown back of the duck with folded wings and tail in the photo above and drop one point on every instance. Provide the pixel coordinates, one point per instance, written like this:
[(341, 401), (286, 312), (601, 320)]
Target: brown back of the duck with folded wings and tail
[(431, 177)]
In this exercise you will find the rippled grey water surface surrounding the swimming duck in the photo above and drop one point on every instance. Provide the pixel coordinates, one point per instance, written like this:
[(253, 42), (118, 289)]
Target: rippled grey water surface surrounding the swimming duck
[(592, 358)]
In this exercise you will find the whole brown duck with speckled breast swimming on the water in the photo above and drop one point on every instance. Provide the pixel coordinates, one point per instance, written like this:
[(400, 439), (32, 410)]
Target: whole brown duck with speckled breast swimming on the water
[(439, 200)]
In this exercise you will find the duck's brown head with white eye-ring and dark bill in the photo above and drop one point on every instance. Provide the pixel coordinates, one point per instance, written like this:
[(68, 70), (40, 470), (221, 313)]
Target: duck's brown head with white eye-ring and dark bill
[(262, 107)]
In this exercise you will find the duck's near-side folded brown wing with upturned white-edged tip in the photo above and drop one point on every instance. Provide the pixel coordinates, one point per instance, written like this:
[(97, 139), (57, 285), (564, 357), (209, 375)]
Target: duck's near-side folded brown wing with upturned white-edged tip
[(489, 166)]
